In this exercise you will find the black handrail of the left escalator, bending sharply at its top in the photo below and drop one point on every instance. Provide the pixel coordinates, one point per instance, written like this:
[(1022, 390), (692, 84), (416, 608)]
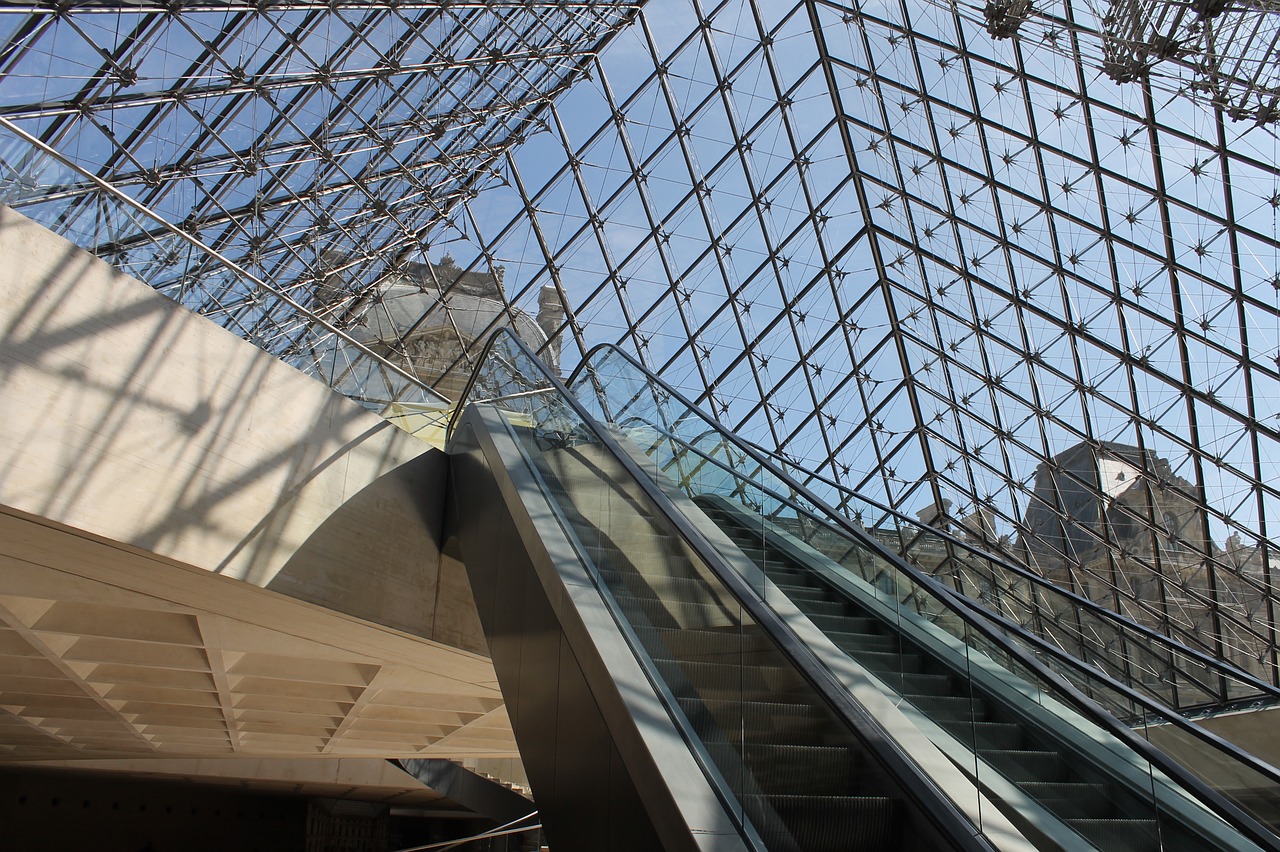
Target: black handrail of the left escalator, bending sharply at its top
[(916, 784)]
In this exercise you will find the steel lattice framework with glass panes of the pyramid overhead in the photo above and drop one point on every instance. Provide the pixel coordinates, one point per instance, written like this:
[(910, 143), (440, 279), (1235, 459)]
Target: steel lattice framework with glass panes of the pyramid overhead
[(1011, 267)]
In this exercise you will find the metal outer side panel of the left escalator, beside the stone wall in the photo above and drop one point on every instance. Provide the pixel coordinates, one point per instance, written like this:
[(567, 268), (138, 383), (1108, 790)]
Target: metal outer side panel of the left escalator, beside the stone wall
[(574, 690)]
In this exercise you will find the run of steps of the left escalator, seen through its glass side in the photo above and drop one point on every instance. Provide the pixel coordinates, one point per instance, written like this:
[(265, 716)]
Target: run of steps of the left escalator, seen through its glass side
[(781, 750)]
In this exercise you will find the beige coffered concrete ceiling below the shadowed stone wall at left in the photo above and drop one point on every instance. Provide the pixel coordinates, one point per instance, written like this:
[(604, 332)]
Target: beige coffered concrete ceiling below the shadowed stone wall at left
[(109, 652)]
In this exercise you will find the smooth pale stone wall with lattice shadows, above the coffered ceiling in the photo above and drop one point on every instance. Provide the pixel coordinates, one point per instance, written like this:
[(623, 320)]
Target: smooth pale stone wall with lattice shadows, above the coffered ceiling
[(130, 418)]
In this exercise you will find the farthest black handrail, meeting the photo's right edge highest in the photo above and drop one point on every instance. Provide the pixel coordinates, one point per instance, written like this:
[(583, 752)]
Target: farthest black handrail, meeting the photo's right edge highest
[(766, 460)]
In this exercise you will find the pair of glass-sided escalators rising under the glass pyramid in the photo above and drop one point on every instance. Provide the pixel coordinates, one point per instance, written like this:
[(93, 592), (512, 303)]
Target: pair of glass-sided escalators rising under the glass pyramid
[(683, 672)]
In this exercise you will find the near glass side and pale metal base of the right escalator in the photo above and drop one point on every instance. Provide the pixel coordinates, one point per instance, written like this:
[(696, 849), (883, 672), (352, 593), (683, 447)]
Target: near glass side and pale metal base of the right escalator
[(1068, 775)]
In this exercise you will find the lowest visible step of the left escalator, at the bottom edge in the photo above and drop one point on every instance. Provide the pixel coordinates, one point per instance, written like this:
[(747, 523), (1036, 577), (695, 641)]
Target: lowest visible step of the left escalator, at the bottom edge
[(831, 823)]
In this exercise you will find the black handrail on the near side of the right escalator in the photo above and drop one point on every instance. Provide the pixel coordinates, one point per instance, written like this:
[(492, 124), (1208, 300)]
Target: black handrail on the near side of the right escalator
[(979, 621)]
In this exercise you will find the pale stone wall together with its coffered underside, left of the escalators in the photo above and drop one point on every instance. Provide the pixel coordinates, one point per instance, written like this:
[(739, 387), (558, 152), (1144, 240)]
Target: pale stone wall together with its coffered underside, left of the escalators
[(204, 552)]
